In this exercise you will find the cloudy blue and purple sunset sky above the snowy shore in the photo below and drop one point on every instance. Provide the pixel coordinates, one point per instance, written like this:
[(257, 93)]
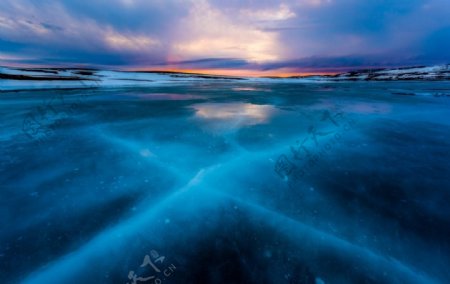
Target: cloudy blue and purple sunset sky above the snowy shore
[(233, 37)]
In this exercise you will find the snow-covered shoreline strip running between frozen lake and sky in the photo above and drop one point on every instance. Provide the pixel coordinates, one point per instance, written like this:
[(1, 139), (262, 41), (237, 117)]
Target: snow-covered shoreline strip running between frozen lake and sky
[(13, 79)]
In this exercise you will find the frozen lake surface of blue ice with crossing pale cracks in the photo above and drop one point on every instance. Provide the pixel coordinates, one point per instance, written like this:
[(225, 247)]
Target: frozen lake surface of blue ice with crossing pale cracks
[(230, 182)]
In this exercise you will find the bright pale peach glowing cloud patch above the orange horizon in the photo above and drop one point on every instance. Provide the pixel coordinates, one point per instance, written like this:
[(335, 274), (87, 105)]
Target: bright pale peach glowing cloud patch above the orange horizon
[(212, 33)]
